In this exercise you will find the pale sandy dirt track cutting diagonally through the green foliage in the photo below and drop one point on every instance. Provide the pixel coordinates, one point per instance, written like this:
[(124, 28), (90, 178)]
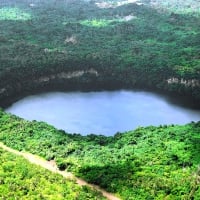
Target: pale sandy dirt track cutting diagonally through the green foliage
[(51, 166)]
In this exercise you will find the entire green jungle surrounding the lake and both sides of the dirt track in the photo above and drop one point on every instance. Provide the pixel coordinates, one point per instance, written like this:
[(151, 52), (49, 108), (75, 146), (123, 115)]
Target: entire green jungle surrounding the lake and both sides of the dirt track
[(98, 45)]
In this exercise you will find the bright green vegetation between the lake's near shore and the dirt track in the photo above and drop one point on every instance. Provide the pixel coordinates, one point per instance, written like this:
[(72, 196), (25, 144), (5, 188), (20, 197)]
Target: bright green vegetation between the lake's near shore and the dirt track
[(148, 163)]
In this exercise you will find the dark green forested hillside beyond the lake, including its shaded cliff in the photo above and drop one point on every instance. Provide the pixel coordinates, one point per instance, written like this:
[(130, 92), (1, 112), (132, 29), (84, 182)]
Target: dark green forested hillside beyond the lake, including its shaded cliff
[(115, 44)]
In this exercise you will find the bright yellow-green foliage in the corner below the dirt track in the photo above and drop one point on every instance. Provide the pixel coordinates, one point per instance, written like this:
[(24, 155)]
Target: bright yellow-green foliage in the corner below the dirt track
[(21, 180)]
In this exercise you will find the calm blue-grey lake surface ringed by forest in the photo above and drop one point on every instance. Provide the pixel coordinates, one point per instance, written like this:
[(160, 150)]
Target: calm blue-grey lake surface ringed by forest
[(104, 112)]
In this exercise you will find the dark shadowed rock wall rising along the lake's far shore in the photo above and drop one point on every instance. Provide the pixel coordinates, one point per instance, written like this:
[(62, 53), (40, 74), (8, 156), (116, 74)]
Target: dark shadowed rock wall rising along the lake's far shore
[(91, 79)]
